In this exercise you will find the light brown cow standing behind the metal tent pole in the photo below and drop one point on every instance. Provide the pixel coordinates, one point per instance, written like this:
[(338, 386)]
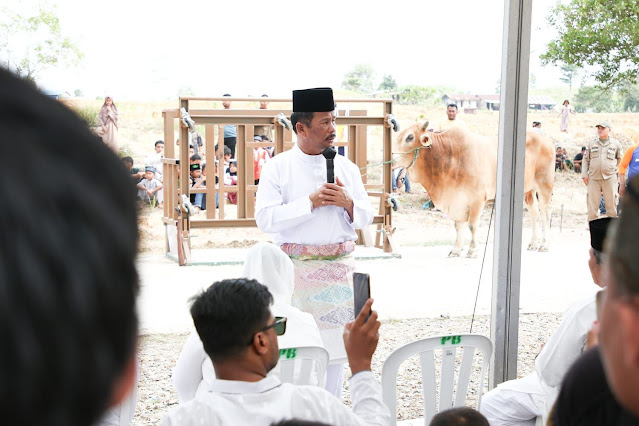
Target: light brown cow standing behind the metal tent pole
[(459, 171)]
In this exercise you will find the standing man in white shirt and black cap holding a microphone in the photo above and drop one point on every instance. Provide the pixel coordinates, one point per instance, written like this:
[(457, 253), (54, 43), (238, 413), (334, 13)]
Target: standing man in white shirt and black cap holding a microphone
[(314, 221)]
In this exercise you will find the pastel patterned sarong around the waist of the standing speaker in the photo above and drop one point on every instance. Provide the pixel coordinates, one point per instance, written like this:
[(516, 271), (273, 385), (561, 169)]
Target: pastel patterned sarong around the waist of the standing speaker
[(324, 288)]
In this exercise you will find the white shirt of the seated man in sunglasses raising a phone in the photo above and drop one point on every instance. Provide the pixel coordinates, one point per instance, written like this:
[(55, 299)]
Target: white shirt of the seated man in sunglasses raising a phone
[(268, 401)]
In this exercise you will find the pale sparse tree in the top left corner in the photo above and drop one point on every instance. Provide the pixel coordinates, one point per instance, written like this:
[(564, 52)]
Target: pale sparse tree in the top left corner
[(31, 44)]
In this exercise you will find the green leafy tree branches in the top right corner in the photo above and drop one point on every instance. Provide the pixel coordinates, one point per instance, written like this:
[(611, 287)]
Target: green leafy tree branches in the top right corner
[(602, 34)]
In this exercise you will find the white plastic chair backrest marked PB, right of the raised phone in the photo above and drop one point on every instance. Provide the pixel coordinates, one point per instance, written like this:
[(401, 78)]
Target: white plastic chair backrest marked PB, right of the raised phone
[(425, 349)]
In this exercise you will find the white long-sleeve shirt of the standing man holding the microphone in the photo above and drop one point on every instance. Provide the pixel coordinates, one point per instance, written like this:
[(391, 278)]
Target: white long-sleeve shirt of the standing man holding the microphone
[(283, 207)]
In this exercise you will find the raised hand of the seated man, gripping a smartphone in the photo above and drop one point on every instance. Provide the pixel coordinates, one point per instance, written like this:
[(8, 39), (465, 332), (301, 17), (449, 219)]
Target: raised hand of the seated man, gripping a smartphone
[(360, 339)]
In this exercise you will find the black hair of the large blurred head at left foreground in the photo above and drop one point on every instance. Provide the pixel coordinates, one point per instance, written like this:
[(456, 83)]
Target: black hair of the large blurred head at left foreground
[(68, 282)]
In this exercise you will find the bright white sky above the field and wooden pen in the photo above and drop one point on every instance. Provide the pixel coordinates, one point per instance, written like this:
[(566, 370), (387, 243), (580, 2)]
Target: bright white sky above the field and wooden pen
[(142, 49)]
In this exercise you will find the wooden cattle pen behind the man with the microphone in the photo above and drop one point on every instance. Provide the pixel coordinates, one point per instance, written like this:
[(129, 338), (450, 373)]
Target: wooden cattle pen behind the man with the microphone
[(178, 223)]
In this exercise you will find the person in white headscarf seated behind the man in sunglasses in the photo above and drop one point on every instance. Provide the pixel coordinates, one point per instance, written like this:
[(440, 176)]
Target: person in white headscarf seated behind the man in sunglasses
[(267, 264)]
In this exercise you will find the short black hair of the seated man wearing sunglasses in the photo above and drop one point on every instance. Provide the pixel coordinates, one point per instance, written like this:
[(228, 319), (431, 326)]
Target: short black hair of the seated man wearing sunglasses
[(228, 314)]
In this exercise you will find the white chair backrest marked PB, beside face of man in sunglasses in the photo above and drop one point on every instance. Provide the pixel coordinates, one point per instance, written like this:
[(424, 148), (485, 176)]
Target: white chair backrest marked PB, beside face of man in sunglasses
[(303, 366)]
